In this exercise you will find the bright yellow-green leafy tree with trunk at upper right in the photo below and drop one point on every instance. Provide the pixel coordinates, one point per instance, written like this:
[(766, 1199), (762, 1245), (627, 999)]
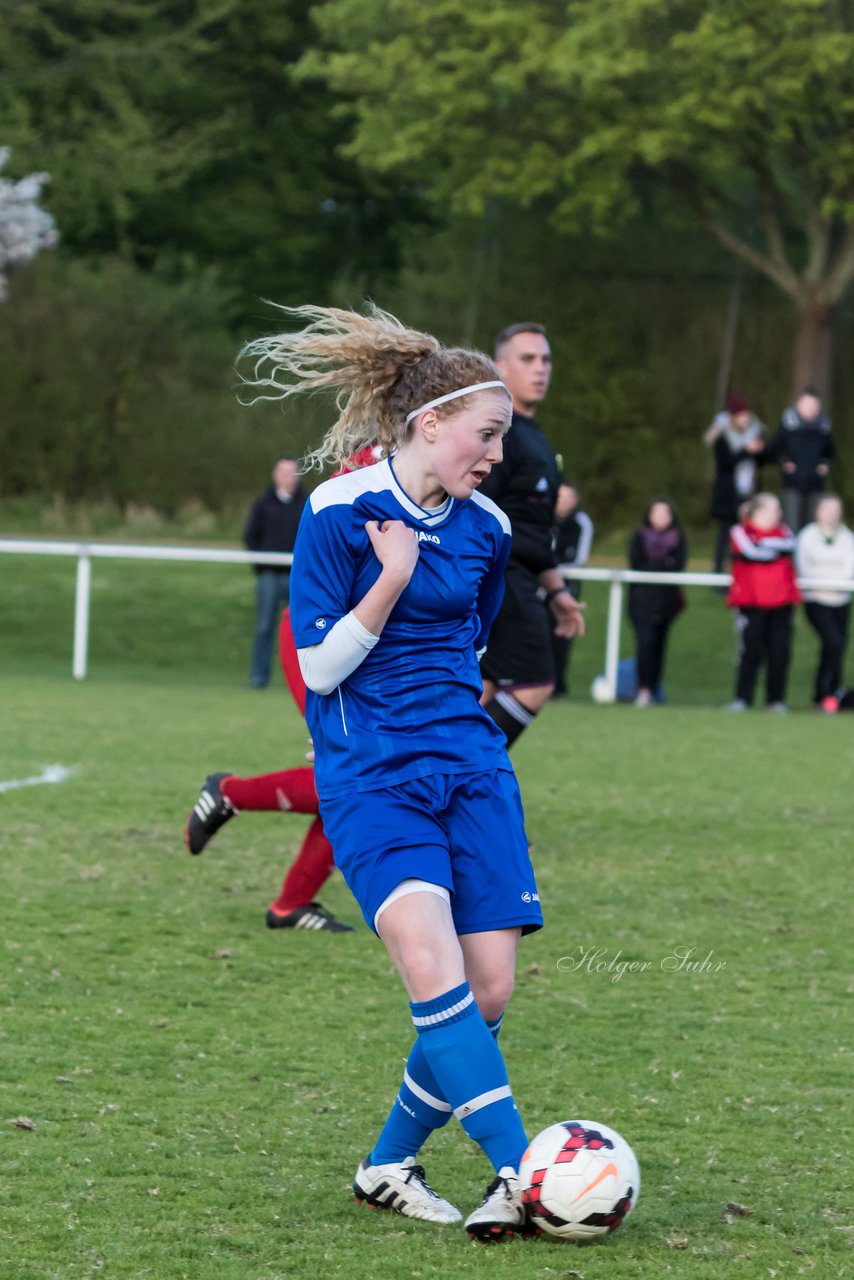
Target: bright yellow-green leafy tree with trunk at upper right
[(739, 113)]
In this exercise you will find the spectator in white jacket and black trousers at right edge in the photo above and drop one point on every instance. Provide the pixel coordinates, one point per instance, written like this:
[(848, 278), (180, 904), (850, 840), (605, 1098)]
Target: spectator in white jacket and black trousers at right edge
[(826, 550)]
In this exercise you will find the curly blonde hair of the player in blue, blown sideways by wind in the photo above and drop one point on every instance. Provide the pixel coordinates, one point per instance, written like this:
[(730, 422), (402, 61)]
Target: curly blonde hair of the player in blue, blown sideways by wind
[(380, 369)]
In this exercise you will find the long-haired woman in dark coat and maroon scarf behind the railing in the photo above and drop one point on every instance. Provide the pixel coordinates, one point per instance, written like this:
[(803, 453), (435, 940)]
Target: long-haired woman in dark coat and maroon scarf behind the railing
[(659, 547)]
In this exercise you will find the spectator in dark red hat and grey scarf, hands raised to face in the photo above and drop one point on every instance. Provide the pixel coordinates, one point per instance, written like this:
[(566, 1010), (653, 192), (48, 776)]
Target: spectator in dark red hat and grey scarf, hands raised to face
[(736, 437)]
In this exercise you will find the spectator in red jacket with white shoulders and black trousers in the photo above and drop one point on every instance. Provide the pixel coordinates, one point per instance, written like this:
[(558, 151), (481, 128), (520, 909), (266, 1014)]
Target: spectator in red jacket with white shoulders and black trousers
[(764, 593)]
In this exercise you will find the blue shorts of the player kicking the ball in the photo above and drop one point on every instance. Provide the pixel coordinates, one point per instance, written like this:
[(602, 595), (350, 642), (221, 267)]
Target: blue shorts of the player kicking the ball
[(463, 831)]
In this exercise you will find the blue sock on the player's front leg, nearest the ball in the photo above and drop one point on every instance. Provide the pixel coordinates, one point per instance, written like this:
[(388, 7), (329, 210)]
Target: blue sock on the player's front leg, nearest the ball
[(471, 1072)]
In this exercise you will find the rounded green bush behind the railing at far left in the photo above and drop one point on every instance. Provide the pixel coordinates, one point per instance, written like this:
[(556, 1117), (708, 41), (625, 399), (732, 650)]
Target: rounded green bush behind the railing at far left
[(118, 387)]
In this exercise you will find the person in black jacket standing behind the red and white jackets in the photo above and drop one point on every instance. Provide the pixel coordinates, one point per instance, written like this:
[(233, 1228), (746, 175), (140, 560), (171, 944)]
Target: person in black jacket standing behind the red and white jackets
[(805, 450)]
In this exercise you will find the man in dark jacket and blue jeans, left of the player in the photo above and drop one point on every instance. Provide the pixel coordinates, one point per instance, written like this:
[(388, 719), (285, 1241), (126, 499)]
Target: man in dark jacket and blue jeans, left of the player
[(273, 528)]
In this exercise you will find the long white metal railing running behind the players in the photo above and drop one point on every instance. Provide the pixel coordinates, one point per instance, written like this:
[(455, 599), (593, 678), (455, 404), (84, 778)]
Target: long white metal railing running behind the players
[(88, 552)]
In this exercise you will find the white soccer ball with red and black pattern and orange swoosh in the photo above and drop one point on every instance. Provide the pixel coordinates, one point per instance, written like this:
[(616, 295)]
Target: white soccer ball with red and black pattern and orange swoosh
[(579, 1180)]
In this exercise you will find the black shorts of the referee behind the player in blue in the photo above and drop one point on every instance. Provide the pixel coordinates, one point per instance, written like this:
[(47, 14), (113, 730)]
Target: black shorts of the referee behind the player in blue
[(519, 651)]
